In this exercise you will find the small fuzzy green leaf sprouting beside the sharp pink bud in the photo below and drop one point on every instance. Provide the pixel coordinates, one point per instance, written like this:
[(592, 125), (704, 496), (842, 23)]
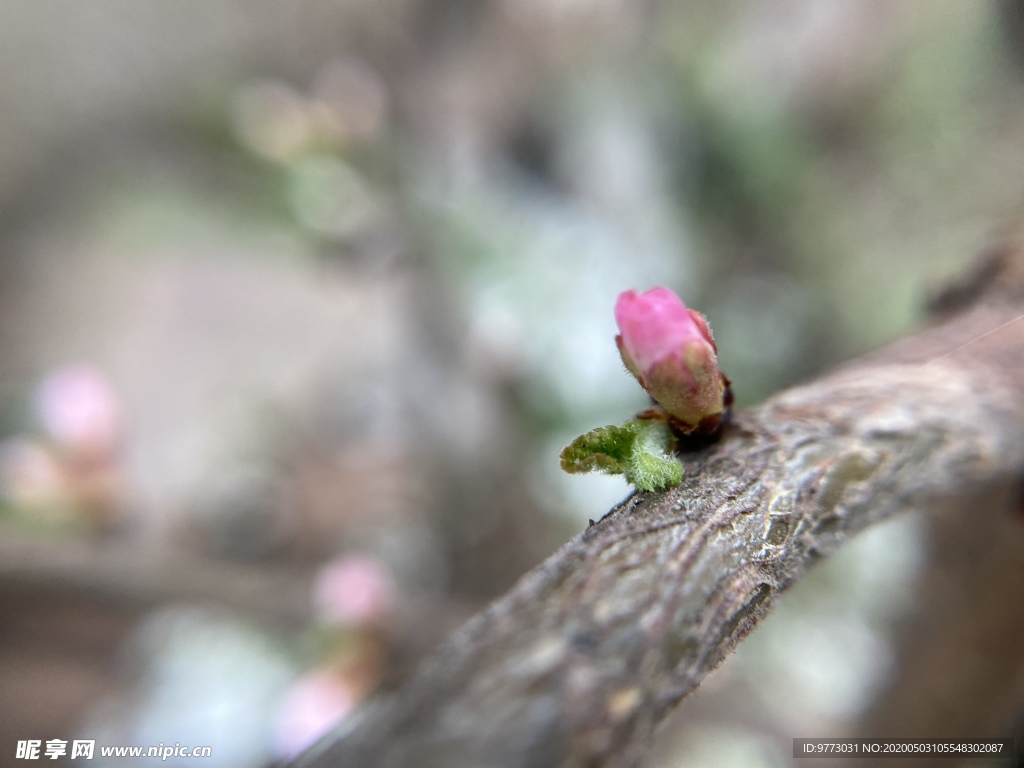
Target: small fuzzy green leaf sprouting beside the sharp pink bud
[(637, 450)]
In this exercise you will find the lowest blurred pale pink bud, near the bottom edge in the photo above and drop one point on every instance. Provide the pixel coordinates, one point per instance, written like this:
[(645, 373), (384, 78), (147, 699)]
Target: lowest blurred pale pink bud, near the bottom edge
[(312, 707)]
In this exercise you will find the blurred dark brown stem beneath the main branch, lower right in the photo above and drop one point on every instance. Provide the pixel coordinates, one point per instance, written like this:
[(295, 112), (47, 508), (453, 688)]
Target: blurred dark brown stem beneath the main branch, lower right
[(962, 663)]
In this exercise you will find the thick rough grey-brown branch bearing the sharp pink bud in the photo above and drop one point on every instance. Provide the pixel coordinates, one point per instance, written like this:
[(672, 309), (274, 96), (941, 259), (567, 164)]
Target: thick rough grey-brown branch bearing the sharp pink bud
[(591, 651)]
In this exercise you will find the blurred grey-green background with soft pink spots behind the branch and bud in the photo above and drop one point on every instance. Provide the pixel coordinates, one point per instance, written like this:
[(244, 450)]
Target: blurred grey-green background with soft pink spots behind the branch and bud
[(300, 303)]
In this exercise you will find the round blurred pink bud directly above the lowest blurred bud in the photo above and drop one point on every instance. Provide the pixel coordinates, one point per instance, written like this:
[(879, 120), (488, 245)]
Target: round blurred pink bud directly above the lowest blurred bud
[(354, 590)]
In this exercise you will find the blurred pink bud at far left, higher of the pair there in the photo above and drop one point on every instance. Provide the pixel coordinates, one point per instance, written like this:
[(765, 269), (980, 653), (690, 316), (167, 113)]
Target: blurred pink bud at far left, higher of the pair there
[(79, 409)]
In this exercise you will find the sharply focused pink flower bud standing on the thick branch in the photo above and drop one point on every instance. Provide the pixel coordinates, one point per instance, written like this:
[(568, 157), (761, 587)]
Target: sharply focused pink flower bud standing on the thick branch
[(670, 351)]
